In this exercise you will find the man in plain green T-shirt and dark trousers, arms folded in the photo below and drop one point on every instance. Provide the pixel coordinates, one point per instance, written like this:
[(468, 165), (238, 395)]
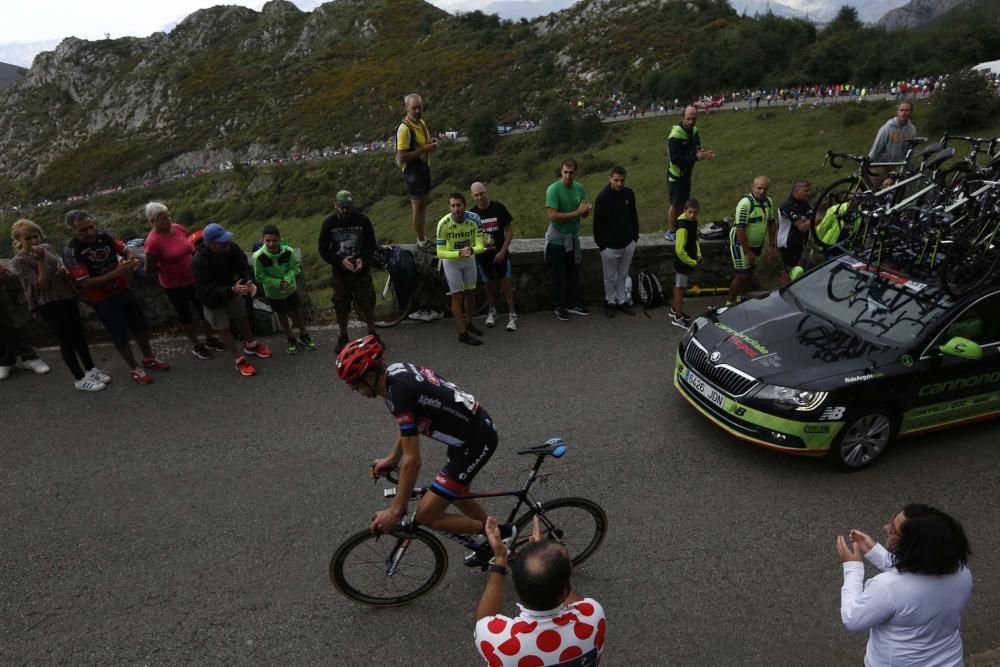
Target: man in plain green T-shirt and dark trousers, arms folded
[(565, 204)]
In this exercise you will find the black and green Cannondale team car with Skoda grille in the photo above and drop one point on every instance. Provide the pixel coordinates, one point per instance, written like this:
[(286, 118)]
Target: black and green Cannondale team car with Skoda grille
[(843, 360)]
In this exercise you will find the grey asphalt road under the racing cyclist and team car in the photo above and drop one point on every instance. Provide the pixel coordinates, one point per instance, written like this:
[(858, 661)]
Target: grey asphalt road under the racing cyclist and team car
[(192, 521)]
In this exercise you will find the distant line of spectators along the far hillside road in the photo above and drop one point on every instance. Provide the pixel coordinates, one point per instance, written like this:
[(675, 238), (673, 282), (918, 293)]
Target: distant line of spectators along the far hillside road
[(615, 105)]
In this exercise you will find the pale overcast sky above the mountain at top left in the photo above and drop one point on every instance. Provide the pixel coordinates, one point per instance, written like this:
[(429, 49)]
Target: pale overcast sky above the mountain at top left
[(25, 21)]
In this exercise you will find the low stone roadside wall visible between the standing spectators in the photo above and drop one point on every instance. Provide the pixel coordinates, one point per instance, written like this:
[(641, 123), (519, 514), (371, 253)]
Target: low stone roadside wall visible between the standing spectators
[(531, 276)]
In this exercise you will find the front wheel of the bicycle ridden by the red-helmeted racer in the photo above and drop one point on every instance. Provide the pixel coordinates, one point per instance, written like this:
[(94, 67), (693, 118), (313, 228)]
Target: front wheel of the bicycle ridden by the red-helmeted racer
[(388, 570)]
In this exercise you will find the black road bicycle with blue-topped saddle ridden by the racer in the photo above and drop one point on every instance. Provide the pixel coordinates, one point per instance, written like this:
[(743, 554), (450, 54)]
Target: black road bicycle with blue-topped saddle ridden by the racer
[(410, 561)]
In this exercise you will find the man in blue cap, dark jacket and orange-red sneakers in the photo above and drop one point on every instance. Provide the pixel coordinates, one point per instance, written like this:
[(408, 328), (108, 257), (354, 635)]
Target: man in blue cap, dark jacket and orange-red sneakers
[(223, 278)]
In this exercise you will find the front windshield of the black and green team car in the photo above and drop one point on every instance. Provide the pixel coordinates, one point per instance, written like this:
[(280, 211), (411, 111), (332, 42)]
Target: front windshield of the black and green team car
[(874, 303)]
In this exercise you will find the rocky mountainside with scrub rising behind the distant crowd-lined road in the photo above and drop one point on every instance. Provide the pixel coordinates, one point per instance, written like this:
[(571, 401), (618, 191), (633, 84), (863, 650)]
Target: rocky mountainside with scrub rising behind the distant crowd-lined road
[(229, 84)]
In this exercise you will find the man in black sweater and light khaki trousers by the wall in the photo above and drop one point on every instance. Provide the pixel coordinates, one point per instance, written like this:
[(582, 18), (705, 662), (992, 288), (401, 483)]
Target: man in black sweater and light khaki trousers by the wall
[(616, 231)]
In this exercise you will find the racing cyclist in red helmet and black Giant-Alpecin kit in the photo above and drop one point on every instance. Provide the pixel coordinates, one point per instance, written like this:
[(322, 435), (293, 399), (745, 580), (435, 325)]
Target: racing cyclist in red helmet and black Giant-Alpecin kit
[(424, 403)]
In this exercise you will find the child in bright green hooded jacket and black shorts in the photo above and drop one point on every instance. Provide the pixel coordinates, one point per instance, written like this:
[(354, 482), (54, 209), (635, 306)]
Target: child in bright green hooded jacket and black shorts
[(276, 267)]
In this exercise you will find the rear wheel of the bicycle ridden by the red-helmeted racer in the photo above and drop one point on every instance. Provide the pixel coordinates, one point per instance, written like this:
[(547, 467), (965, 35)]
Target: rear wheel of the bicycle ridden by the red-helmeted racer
[(577, 523)]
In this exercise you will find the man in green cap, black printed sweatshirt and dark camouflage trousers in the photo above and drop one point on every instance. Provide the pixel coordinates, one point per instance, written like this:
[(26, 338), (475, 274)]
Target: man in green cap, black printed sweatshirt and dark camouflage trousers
[(347, 243)]
